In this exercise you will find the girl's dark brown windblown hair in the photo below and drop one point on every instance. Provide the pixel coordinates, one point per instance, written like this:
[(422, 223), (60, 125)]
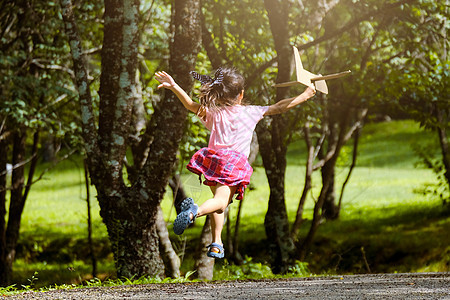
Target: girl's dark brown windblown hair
[(224, 92)]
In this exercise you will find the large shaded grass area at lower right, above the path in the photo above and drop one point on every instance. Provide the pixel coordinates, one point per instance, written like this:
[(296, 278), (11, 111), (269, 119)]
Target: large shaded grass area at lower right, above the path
[(404, 240)]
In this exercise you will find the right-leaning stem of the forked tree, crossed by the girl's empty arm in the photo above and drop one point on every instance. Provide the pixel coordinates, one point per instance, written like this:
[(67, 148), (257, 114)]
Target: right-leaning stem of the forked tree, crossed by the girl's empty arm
[(170, 115)]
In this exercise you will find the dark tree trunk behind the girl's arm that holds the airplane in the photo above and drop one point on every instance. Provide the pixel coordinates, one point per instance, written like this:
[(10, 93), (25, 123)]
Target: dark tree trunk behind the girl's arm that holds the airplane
[(273, 146)]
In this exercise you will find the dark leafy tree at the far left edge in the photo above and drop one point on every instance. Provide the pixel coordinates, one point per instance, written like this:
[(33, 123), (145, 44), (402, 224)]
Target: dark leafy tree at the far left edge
[(32, 89)]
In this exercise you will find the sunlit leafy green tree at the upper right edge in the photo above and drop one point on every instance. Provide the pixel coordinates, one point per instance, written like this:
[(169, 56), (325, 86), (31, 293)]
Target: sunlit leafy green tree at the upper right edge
[(420, 71)]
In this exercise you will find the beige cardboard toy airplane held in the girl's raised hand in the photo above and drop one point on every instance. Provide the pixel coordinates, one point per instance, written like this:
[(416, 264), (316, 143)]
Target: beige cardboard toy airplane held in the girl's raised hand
[(305, 77)]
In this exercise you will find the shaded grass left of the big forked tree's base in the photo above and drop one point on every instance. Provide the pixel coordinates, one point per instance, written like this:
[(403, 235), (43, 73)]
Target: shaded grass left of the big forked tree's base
[(46, 258)]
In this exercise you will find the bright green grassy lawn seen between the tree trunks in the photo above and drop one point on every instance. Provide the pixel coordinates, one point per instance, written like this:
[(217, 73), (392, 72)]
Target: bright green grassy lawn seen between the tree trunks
[(384, 225)]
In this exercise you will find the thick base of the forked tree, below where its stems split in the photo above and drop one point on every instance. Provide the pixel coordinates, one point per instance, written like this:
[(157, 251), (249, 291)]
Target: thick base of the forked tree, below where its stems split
[(132, 231)]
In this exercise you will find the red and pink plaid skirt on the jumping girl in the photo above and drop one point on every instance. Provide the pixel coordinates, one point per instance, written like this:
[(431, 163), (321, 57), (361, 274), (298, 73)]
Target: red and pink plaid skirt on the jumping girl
[(223, 166)]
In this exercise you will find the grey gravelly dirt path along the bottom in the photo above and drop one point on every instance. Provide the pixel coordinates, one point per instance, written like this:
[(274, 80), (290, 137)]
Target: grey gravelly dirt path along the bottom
[(381, 286)]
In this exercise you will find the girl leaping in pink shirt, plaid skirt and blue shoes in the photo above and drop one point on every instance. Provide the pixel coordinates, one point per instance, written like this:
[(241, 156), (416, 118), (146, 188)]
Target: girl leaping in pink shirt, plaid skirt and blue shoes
[(224, 162)]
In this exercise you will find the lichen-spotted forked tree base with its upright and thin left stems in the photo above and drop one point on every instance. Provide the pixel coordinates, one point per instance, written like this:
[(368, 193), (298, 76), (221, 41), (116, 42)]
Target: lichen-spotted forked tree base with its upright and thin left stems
[(125, 212)]
